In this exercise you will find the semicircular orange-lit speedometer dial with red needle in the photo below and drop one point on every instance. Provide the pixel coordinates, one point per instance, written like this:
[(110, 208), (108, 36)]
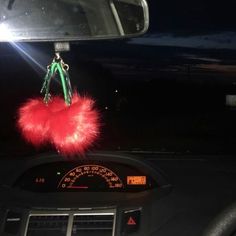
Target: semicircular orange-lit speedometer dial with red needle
[(90, 177)]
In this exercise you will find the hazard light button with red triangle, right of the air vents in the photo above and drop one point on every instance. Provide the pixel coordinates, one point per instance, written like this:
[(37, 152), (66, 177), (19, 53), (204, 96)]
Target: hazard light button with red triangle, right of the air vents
[(131, 221)]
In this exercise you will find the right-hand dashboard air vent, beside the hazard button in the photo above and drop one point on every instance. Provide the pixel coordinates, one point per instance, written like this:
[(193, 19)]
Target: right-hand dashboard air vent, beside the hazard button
[(93, 224)]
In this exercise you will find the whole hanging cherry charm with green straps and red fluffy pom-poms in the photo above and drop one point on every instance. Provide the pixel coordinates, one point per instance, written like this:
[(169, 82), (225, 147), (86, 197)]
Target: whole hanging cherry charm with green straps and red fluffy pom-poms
[(70, 124)]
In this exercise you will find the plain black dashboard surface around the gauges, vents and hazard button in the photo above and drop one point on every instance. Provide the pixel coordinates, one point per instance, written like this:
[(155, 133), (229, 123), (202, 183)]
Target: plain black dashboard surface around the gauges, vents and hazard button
[(190, 191)]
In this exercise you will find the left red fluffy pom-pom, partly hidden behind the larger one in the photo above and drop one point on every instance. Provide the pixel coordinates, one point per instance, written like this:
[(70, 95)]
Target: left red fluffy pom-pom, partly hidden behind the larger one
[(33, 121)]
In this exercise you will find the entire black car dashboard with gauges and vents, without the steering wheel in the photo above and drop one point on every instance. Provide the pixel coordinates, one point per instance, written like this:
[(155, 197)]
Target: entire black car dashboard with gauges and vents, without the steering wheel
[(113, 194)]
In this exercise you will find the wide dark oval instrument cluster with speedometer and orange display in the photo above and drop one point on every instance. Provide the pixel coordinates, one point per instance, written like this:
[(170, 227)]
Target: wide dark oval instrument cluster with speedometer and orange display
[(85, 176)]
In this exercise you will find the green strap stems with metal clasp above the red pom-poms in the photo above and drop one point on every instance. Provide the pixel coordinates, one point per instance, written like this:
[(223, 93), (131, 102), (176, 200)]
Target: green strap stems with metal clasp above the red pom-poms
[(58, 67)]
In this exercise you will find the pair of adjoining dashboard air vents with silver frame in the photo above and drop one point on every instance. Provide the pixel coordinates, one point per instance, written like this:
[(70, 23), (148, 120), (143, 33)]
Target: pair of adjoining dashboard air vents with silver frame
[(71, 223)]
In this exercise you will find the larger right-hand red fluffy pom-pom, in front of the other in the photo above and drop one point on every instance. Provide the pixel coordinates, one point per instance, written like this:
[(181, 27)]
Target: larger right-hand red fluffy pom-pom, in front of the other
[(73, 128)]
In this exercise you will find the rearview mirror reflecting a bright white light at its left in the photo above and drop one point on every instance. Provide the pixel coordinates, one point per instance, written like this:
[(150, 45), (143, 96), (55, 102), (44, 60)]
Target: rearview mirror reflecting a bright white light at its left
[(68, 20)]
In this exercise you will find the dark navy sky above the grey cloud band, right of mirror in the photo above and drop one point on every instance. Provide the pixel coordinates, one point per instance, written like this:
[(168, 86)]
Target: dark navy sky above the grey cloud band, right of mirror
[(191, 17)]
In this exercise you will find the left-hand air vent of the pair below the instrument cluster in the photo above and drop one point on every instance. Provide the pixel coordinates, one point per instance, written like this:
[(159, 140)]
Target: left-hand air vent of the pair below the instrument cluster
[(47, 225)]
